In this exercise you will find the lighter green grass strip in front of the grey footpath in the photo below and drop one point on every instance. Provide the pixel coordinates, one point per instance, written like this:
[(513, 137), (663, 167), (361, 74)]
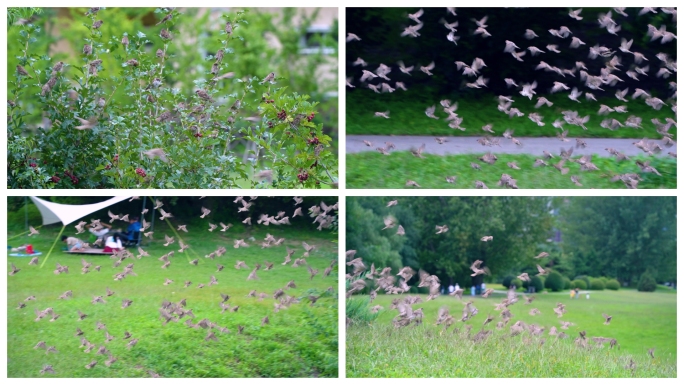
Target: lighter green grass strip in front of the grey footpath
[(374, 170)]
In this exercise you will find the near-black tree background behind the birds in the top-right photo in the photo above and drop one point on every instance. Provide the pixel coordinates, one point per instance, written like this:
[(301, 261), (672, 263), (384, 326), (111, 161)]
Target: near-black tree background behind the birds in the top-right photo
[(380, 29)]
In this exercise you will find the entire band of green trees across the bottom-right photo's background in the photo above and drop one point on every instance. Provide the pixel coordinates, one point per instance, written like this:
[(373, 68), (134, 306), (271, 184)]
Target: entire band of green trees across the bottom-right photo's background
[(616, 237)]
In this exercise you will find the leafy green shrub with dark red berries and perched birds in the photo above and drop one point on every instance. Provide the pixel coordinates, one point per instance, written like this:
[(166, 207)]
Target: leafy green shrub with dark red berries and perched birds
[(128, 116)]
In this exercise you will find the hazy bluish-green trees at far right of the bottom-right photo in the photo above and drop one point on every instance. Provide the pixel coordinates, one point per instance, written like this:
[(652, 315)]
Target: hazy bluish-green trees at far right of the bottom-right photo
[(621, 237)]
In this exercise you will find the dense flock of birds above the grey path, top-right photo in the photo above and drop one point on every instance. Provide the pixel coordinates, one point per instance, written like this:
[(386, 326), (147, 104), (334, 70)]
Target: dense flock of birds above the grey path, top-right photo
[(608, 77)]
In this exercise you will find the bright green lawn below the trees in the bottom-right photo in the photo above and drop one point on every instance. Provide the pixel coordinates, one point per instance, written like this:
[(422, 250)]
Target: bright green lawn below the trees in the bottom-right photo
[(640, 321)]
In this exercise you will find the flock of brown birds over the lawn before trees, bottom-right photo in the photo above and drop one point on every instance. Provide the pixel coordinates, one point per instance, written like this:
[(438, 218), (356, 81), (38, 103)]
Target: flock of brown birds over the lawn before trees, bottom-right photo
[(384, 280)]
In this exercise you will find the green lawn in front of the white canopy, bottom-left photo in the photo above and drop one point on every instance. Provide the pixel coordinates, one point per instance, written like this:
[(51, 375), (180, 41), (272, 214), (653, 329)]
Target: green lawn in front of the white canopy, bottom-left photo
[(300, 341)]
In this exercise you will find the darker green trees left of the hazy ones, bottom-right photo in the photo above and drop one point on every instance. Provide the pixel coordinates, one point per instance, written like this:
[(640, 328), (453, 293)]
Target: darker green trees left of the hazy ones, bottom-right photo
[(519, 225)]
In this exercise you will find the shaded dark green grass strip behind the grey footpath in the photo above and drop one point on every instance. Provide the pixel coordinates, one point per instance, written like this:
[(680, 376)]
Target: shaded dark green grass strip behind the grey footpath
[(407, 116)]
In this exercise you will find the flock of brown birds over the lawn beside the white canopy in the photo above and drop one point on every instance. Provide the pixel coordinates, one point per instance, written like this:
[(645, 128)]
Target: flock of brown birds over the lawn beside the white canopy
[(175, 312)]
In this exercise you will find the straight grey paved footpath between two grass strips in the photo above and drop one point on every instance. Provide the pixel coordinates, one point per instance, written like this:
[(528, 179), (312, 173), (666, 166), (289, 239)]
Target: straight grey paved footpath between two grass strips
[(469, 144)]
